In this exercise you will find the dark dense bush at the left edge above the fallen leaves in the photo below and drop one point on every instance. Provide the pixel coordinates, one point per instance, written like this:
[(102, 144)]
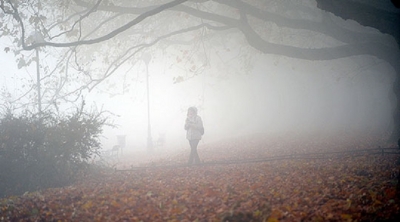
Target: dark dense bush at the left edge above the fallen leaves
[(37, 153)]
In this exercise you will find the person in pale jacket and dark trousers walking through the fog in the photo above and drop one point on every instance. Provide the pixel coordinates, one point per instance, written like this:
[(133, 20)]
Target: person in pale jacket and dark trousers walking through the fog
[(194, 130)]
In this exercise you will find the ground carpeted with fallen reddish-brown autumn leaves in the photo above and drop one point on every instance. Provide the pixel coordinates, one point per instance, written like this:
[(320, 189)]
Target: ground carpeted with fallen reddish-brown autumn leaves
[(335, 187)]
